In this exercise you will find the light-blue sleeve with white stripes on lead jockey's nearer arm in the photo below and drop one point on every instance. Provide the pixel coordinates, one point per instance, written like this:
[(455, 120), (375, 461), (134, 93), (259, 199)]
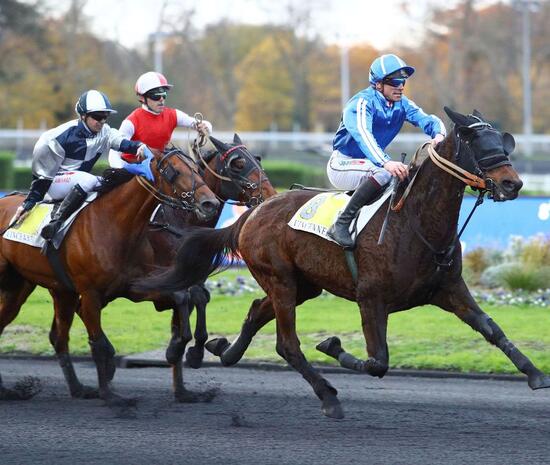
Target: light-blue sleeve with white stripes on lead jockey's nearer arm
[(358, 117)]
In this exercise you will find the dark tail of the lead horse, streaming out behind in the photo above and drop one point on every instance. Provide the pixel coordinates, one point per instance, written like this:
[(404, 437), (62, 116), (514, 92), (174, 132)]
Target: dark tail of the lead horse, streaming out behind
[(202, 251)]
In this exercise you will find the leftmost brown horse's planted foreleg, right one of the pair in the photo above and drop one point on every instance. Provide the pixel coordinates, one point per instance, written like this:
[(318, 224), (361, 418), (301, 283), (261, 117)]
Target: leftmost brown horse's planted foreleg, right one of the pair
[(102, 350)]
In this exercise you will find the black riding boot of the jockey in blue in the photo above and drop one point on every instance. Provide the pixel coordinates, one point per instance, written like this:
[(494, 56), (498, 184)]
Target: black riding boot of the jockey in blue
[(367, 191)]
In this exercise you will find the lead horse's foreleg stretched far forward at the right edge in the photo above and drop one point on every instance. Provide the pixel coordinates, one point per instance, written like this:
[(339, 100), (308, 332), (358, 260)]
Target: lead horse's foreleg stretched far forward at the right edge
[(457, 299)]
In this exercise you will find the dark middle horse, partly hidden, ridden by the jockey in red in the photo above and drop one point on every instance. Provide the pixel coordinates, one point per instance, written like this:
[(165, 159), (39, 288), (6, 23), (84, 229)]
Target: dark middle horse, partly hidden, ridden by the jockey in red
[(233, 174)]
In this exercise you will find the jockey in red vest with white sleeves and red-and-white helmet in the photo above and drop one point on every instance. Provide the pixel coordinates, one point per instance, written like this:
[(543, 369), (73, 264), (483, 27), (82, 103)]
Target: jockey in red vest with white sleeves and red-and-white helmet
[(153, 123)]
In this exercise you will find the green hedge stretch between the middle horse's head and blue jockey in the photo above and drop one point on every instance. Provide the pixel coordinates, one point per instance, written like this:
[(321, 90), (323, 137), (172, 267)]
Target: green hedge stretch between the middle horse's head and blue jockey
[(283, 174)]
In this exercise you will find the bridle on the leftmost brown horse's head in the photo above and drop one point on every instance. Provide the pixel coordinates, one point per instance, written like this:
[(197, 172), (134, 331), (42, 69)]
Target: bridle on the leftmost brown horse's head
[(180, 200)]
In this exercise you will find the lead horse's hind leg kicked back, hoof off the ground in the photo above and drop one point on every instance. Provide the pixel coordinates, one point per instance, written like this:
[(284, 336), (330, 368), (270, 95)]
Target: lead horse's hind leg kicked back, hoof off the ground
[(260, 313)]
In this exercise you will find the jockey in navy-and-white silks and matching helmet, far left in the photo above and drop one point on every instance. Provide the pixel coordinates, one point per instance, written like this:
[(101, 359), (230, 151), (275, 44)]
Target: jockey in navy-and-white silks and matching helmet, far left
[(64, 156)]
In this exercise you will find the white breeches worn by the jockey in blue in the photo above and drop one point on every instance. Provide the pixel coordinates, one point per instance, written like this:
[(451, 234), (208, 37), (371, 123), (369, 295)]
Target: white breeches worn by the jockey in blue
[(347, 173)]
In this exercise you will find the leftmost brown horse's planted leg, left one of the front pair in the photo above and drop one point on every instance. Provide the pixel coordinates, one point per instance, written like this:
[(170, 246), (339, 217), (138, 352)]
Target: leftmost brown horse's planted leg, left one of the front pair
[(65, 305)]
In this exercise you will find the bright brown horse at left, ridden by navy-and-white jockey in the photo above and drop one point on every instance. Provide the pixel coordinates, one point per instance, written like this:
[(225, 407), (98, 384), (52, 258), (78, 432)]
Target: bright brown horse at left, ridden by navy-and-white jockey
[(101, 253)]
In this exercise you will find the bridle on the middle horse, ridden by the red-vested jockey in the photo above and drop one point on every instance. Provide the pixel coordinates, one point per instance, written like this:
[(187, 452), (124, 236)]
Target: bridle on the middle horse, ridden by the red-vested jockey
[(239, 184)]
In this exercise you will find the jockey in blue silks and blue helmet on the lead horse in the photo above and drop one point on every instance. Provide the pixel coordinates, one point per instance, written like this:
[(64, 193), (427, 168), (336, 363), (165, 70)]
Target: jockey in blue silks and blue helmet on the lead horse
[(370, 121)]
